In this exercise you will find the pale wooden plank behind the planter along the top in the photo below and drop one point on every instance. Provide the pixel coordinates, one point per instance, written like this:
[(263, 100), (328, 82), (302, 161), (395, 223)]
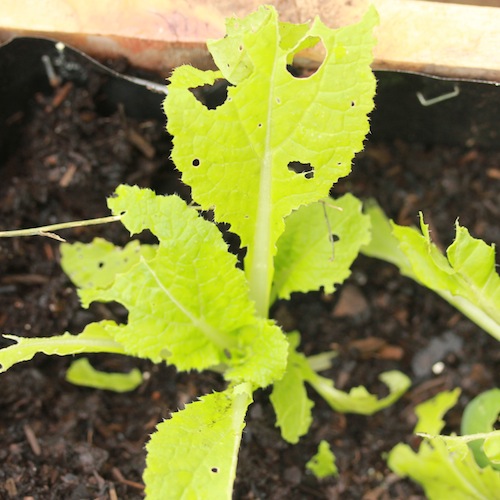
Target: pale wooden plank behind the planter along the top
[(448, 40)]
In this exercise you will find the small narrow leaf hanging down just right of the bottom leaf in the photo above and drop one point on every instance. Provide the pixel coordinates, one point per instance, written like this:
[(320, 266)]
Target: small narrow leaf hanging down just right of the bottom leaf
[(289, 397)]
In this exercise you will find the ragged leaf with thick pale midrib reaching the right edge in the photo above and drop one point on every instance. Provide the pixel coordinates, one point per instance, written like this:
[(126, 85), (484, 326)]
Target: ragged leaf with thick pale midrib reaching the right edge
[(466, 276)]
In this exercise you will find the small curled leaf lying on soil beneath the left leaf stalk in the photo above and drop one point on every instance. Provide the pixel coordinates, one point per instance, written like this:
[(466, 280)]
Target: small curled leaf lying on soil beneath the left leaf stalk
[(81, 372)]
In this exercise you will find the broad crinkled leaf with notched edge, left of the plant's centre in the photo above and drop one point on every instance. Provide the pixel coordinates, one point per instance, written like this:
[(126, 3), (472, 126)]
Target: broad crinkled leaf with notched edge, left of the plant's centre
[(187, 301)]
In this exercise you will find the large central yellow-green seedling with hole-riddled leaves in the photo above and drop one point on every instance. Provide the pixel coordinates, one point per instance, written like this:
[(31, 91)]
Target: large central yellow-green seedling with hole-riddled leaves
[(188, 302)]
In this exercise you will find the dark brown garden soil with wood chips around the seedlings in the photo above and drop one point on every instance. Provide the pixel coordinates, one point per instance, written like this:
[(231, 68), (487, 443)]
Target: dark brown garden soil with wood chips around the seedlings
[(67, 152)]
